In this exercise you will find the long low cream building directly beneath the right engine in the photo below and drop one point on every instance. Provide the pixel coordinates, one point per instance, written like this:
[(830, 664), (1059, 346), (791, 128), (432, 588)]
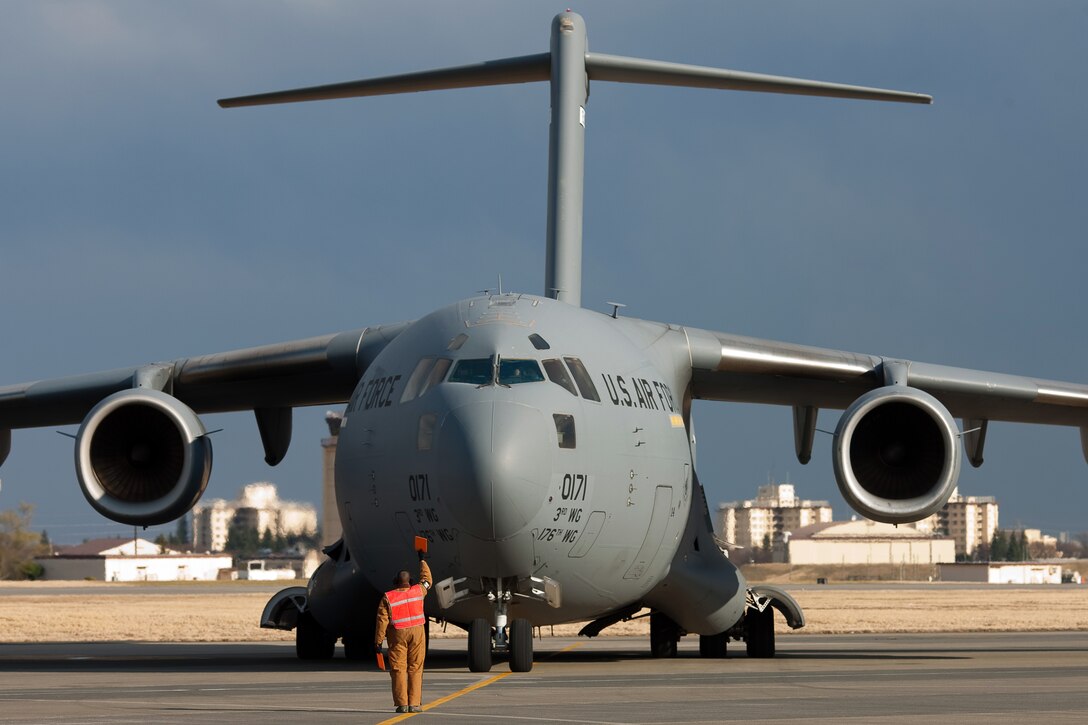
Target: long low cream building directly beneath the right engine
[(863, 542)]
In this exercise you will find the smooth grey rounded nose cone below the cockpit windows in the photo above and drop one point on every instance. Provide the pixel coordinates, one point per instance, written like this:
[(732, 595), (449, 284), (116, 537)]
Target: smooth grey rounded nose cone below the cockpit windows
[(494, 466)]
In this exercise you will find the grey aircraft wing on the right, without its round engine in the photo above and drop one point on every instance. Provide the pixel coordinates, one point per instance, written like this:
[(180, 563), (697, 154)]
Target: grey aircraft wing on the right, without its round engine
[(727, 367)]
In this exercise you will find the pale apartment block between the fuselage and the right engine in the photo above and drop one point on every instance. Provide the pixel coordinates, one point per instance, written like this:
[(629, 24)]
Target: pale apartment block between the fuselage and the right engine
[(775, 511)]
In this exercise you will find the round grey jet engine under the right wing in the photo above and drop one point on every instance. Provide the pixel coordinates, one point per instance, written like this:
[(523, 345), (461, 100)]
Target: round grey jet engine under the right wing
[(897, 454)]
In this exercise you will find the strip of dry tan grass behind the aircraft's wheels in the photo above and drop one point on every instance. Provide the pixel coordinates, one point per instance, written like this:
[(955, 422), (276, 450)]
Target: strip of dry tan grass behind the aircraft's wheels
[(94, 611)]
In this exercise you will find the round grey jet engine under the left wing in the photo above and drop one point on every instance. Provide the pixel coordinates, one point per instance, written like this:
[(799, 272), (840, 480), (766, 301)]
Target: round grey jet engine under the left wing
[(143, 458)]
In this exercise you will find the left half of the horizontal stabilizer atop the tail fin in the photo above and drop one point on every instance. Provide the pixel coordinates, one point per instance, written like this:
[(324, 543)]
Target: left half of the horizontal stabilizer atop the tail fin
[(525, 69)]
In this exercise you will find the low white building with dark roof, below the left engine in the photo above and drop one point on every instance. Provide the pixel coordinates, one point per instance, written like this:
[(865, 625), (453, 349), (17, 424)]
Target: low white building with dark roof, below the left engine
[(131, 560)]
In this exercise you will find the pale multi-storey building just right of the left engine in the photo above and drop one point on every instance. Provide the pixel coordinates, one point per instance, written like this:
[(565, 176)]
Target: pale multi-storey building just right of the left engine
[(258, 507)]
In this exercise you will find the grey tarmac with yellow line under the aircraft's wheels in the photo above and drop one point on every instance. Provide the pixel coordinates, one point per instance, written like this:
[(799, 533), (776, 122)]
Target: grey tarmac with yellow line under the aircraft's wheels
[(855, 679)]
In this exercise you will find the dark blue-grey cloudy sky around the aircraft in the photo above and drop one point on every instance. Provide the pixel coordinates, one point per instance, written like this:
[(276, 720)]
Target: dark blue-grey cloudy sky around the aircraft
[(141, 223)]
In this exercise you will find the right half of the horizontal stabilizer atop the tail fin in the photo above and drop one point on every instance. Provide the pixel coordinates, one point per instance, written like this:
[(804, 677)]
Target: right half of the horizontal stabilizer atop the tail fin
[(621, 69)]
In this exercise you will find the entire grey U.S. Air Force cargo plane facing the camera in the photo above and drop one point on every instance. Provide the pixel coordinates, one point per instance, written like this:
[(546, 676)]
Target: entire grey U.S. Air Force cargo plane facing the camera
[(545, 449)]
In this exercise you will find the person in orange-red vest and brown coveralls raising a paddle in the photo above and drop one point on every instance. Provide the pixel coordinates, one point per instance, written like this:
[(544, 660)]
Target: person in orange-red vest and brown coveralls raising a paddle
[(401, 620)]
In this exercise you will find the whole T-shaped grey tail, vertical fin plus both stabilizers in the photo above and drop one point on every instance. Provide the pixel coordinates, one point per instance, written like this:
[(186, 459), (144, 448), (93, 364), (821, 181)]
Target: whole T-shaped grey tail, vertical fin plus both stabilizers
[(570, 67)]
